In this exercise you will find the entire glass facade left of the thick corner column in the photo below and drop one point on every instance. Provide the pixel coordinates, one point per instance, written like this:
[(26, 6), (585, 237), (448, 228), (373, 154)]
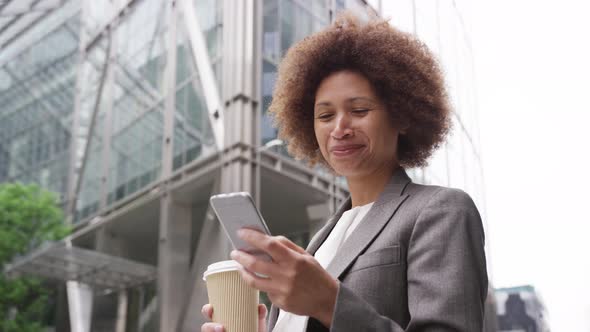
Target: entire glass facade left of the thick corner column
[(82, 57)]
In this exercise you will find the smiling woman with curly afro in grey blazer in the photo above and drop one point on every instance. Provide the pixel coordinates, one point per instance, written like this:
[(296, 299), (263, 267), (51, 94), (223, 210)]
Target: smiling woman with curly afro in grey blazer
[(367, 101)]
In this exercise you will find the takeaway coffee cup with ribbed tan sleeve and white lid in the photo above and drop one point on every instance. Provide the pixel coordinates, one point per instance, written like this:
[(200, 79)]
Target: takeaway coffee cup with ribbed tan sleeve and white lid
[(235, 304)]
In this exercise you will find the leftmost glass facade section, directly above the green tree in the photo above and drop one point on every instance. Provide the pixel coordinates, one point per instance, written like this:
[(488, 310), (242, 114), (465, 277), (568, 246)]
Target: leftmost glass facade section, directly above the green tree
[(37, 97)]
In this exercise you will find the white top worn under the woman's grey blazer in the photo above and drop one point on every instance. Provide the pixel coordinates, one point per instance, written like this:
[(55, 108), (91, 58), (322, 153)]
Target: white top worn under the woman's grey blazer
[(288, 322)]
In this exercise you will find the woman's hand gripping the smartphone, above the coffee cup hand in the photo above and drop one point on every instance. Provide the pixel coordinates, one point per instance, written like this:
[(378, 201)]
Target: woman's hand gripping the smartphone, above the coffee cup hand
[(295, 281)]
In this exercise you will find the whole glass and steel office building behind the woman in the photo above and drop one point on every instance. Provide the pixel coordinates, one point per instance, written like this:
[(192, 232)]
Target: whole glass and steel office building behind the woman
[(135, 111)]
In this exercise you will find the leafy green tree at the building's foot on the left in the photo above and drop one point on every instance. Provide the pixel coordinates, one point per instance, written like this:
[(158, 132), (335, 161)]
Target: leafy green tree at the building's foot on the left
[(29, 216)]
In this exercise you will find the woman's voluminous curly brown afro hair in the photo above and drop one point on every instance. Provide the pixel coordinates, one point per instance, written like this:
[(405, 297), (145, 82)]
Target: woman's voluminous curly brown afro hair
[(401, 69)]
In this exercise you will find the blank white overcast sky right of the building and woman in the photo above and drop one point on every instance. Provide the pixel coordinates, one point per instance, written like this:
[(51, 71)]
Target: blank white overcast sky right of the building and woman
[(532, 67)]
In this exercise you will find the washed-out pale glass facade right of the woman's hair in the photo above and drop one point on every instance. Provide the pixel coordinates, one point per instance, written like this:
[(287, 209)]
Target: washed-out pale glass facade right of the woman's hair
[(442, 27)]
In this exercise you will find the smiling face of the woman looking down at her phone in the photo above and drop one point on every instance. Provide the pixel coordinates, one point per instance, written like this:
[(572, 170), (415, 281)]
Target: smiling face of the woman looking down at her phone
[(353, 129)]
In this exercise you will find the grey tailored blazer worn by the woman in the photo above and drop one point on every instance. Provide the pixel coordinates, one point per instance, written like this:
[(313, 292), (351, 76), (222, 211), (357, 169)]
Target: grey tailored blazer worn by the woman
[(416, 262)]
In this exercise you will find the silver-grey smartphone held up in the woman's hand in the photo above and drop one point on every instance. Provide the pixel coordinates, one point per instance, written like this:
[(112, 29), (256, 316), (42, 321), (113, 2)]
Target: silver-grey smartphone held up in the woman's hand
[(235, 211)]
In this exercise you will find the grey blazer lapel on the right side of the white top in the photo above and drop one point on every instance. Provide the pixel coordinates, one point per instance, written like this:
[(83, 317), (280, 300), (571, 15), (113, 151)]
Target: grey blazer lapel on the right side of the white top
[(377, 217)]
